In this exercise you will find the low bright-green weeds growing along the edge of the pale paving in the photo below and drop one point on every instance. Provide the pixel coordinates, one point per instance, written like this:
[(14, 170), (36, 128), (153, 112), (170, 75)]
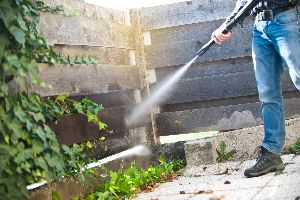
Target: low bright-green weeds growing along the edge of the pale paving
[(126, 184)]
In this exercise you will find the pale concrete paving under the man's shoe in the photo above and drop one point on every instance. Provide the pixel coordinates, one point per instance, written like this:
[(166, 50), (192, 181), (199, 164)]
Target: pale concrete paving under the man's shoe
[(227, 181)]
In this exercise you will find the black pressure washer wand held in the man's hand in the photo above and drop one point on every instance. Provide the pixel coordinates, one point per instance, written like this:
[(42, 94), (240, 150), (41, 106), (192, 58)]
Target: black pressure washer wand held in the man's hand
[(244, 12)]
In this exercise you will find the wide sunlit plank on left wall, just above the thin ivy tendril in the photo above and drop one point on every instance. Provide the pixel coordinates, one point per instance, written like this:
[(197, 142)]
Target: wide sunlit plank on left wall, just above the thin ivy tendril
[(84, 31)]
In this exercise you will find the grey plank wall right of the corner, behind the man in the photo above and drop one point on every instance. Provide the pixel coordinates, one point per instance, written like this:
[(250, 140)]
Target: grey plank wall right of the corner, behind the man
[(219, 90)]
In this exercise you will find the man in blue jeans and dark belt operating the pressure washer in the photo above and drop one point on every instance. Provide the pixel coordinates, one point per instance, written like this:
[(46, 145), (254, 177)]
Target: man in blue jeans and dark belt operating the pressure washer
[(275, 42)]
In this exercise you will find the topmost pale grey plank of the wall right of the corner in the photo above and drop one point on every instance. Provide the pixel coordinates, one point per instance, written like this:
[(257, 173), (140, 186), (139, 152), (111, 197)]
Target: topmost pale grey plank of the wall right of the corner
[(187, 12)]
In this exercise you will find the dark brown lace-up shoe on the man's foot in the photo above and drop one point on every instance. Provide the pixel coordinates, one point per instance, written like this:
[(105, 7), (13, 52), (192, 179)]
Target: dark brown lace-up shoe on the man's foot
[(266, 162)]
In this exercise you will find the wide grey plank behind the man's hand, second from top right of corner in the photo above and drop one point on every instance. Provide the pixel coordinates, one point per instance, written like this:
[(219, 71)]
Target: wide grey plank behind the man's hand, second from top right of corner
[(178, 45)]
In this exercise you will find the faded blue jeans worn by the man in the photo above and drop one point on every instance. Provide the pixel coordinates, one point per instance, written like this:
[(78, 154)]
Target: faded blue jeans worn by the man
[(276, 44)]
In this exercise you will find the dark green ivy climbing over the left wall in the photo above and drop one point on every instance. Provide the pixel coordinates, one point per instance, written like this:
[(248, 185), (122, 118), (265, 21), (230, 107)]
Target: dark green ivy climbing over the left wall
[(29, 150)]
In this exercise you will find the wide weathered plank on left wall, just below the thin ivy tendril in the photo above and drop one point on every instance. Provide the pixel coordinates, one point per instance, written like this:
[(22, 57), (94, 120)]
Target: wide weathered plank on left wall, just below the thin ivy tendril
[(88, 79)]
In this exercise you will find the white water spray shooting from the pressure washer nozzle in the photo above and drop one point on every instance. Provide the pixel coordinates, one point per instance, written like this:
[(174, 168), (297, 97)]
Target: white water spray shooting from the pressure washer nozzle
[(159, 94)]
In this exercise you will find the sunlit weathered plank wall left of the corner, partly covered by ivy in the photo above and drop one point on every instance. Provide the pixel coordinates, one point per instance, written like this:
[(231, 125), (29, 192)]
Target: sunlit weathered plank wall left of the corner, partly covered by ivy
[(115, 83)]
